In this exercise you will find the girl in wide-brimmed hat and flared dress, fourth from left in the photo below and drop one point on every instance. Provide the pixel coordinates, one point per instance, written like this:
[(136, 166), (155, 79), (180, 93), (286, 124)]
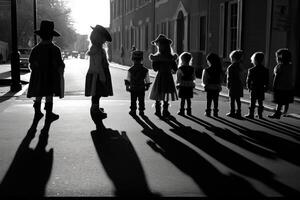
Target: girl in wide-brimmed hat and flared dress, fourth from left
[(163, 62)]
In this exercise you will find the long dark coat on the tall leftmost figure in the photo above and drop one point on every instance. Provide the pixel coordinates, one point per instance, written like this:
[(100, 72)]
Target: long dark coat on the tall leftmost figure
[(47, 69)]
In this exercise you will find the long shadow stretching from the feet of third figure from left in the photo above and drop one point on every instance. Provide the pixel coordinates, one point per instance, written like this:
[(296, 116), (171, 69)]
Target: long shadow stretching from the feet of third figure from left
[(208, 178)]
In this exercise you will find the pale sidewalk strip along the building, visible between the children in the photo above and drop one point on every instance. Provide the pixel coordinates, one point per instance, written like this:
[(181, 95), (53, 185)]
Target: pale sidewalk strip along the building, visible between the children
[(268, 104)]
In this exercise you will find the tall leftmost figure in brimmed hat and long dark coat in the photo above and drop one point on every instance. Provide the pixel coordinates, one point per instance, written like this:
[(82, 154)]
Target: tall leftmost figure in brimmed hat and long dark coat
[(47, 68)]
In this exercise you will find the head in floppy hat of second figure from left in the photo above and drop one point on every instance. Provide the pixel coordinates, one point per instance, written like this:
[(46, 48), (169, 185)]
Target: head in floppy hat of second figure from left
[(100, 35)]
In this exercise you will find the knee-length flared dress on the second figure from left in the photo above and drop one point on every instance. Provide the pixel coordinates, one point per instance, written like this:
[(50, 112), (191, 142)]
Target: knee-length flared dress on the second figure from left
[(98, 79)]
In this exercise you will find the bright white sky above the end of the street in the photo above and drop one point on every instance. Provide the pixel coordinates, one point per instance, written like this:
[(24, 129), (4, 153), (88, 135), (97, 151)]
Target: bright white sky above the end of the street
[(86, 13)]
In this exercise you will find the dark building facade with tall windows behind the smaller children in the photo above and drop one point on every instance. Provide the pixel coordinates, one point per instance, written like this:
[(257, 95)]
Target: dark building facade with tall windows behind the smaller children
[(203, 26)]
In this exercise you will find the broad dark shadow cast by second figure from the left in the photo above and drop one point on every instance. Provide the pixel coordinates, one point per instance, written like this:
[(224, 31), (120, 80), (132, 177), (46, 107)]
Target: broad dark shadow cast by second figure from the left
[(121, 163)]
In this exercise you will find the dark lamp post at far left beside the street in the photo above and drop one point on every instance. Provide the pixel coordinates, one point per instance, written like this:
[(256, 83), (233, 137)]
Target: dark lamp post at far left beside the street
[(15, 57)]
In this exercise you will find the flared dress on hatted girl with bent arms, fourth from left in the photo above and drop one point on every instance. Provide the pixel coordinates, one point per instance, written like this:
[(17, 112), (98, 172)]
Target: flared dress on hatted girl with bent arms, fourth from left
[(164, 87)]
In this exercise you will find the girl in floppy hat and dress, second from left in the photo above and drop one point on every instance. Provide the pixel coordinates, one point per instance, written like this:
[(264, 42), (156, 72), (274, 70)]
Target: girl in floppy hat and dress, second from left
[(98, 79)]
